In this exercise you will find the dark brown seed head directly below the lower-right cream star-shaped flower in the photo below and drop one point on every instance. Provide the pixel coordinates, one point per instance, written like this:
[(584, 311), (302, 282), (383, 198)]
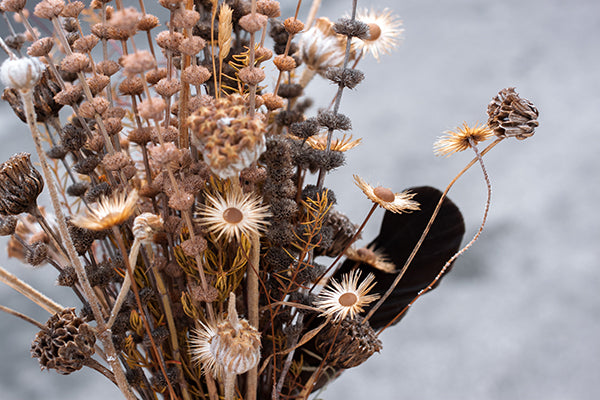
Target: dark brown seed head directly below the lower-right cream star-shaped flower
[(349, 343)]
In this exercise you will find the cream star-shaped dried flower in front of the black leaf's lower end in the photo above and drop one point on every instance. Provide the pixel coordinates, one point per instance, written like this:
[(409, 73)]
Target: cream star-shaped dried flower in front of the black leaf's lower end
[(346, 298)]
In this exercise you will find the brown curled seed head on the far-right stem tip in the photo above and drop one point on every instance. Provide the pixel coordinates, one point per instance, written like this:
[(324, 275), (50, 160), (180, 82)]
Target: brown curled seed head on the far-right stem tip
[(510, 115)]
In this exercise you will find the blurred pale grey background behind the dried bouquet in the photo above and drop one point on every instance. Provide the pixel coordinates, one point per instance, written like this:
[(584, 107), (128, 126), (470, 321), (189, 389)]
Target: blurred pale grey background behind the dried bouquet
[(519, 316)]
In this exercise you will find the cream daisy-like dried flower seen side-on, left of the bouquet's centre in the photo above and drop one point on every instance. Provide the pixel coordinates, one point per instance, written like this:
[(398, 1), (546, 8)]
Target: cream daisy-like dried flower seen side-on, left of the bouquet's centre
[(108, 211)]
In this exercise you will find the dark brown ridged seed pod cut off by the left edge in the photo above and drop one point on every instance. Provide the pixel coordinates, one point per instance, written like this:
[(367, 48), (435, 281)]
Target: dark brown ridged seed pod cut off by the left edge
[(20, 185)]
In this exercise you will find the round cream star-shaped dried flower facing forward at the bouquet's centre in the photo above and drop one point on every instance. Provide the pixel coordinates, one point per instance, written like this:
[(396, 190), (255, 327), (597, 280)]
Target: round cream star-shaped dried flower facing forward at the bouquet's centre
[(233, 215)]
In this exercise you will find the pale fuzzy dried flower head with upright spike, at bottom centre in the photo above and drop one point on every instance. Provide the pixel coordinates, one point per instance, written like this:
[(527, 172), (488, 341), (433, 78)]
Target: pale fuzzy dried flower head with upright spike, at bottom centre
[(230, 347)]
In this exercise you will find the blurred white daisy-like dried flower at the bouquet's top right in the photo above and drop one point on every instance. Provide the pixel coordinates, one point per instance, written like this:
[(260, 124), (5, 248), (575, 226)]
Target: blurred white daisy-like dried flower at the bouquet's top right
[(384, 32)]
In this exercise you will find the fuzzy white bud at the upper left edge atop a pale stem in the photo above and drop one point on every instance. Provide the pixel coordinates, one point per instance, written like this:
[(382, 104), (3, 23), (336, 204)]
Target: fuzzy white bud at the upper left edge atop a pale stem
[(21, 73)]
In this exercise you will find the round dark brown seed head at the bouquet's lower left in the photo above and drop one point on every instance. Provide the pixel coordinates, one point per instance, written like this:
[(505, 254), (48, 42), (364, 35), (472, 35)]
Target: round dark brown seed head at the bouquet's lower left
[(65, 344)]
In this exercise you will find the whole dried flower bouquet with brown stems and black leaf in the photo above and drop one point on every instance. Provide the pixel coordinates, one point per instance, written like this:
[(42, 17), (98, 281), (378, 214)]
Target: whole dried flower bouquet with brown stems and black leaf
[(189, 208)]
